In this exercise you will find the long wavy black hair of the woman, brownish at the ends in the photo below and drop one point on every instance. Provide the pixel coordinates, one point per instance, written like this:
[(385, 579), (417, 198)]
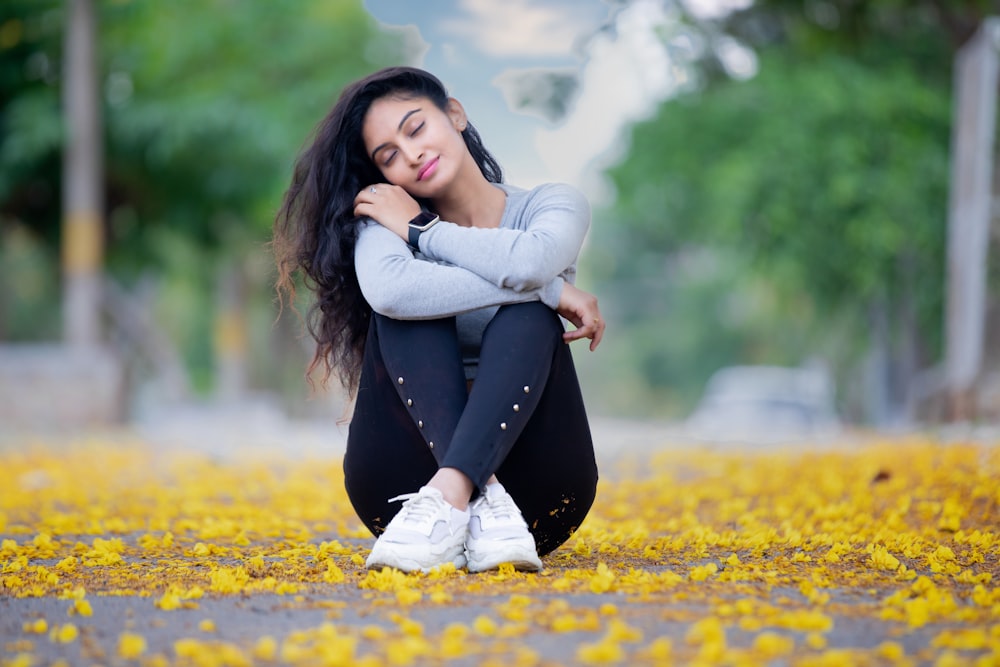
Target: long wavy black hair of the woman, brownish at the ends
[(315, 230)]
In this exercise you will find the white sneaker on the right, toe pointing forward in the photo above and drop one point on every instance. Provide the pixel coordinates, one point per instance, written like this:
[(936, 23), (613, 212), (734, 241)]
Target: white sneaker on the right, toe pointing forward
[(498, 534)]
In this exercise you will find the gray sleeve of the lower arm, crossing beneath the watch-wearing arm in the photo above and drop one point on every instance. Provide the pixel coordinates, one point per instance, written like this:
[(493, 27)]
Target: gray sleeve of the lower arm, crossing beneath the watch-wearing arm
[(398, 285)]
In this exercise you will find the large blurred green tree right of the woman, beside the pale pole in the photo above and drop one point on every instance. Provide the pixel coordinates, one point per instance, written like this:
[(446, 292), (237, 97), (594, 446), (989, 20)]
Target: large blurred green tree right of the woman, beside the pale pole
[(812, 196)]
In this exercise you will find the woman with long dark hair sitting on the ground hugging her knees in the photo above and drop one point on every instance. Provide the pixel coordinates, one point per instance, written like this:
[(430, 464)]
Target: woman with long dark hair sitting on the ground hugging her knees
[(438, 290)]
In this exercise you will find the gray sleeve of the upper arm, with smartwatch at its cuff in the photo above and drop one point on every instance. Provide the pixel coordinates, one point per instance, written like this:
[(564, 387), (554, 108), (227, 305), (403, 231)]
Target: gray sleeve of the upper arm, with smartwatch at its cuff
[(558, 217)]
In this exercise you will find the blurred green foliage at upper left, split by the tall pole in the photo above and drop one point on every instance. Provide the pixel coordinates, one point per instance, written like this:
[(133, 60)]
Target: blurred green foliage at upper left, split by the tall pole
[(205, 108)]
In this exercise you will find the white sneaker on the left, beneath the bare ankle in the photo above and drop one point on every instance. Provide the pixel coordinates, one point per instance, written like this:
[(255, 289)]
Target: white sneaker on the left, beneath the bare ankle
[(427, 532)]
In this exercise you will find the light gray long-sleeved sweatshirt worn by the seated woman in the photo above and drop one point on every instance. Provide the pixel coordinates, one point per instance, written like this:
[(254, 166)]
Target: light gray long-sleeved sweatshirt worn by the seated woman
[(470, 271)]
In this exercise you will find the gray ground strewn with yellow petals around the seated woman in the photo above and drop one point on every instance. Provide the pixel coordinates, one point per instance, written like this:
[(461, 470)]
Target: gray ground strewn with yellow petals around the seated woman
[(116, 552)]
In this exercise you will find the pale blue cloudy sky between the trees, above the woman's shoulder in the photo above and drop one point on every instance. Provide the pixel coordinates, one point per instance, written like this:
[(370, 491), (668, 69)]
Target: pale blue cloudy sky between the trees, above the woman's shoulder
[(619, 59)]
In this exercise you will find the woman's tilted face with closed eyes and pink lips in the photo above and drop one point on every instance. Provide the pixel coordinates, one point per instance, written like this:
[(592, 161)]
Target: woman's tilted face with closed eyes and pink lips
[(416, 145)]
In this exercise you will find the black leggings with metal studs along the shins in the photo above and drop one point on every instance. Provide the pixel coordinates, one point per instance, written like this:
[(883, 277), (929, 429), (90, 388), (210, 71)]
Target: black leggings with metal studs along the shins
[(523, 419)]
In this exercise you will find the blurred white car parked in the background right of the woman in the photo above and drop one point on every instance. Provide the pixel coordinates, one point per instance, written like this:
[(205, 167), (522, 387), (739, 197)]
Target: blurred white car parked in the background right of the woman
[(765, 404)]
